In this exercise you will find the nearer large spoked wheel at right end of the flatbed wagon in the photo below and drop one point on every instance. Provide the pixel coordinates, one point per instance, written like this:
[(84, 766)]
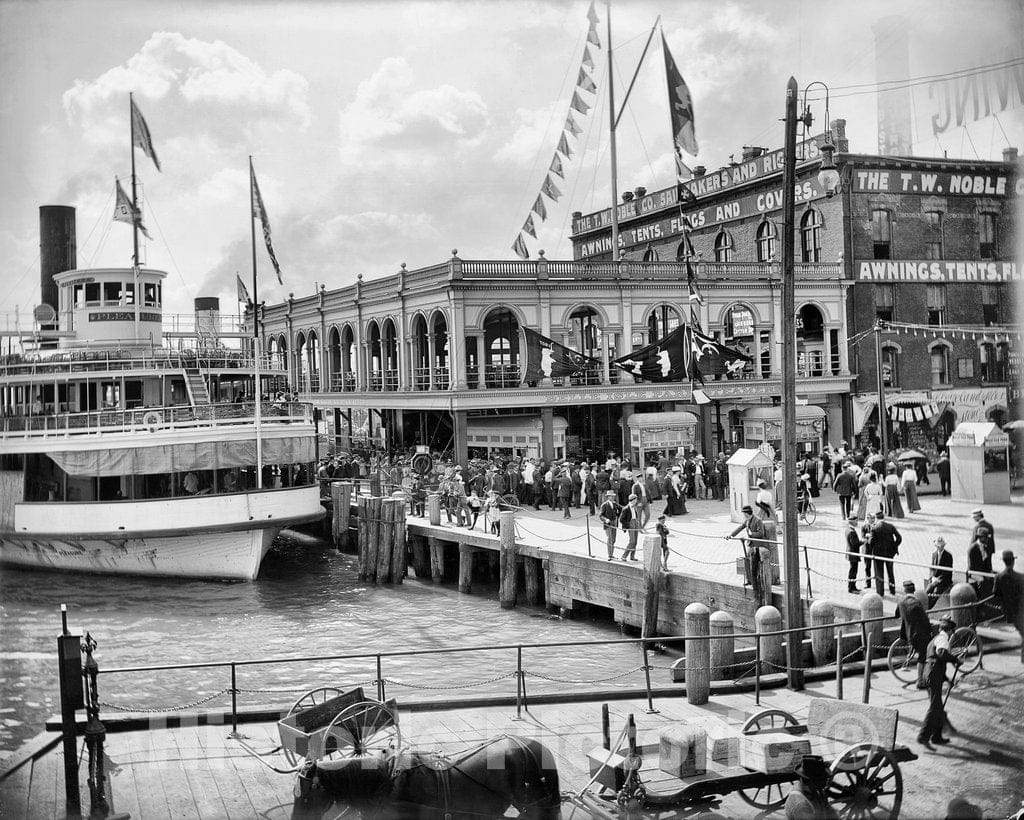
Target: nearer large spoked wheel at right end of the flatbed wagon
[(866, 784)]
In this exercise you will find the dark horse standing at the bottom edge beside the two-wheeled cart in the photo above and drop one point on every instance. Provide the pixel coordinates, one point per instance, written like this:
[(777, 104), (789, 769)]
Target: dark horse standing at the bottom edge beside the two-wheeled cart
[(483, 783)]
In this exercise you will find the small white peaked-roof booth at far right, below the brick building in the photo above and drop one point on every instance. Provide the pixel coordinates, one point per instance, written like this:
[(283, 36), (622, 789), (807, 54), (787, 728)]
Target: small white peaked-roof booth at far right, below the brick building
[(979, 463)]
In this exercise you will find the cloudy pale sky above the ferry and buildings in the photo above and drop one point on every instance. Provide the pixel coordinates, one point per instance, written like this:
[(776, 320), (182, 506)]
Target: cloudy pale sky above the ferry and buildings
[(396, 133)]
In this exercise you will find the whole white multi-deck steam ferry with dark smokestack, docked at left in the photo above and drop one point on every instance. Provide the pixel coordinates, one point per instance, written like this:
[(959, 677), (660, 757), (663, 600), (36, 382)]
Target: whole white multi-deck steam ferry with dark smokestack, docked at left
[(133, 447)]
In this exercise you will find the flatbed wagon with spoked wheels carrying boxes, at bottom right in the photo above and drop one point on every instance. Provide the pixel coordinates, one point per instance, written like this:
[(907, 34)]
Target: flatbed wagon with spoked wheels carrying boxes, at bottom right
[(695, 765)]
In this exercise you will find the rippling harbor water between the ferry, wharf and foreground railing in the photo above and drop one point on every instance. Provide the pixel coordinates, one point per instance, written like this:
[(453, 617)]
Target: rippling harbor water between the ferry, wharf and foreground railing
[(308, 601)]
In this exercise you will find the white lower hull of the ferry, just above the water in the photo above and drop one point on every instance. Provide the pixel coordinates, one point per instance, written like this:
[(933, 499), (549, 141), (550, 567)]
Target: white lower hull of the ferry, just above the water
[(162, 543)]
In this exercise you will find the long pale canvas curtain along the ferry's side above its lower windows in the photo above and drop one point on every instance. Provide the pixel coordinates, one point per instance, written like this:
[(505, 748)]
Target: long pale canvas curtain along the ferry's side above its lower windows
[(180, 458)]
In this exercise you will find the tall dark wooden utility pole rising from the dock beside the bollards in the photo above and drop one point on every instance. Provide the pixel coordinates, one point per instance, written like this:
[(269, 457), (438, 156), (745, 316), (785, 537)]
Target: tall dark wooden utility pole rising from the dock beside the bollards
[(794, 607)]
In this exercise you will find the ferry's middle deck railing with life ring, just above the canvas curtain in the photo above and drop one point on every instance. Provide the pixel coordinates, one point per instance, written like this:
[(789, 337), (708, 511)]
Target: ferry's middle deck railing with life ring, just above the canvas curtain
[(146, 420)]
